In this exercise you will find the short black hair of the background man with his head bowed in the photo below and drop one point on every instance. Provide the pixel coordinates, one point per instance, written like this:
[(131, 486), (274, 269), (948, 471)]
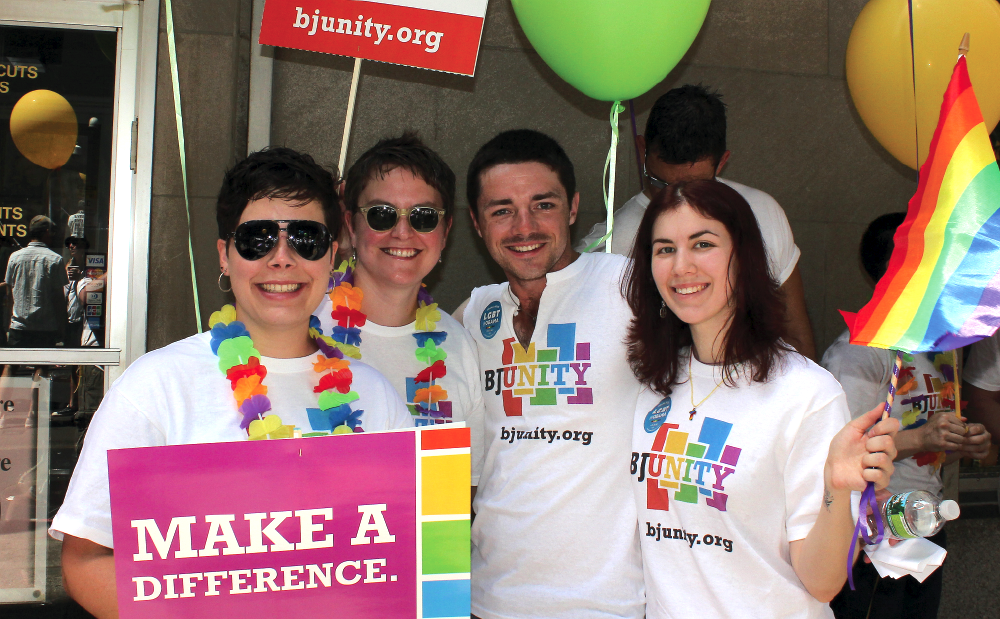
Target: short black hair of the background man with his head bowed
[(686, 125)]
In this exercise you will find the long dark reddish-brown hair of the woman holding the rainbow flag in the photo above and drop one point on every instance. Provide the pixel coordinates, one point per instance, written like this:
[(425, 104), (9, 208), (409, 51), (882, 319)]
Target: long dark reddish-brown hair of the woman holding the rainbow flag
[(754, 335)]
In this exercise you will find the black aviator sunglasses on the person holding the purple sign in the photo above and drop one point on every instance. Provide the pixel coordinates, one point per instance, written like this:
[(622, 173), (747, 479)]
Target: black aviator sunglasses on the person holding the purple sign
[(256, 239)]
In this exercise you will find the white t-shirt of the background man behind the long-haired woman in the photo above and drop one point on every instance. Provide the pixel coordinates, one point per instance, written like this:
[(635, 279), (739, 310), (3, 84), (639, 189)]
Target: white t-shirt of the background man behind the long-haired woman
[(782, 253)]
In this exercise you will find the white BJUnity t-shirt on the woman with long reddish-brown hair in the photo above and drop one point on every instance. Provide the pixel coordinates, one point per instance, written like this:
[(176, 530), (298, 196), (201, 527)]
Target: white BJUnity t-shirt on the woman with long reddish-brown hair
[(721, 496)]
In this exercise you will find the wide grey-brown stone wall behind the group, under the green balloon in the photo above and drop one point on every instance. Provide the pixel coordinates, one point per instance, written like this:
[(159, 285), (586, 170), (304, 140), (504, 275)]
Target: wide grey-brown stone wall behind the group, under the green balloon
[(792, 130)]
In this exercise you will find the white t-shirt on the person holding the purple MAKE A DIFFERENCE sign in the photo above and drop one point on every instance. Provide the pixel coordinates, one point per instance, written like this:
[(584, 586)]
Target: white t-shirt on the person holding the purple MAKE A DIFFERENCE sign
[(177, 396)]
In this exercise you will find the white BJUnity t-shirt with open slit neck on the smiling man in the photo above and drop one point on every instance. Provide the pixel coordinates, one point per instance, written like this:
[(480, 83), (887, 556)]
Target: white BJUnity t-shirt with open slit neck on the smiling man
[(555, 530)]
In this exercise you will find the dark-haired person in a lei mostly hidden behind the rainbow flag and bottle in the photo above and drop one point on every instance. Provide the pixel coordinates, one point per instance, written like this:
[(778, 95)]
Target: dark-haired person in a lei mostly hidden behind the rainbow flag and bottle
[(925, 406)]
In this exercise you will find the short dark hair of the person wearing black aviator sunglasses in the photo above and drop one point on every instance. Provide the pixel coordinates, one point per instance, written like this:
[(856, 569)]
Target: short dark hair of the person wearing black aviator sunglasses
[(279, 173)]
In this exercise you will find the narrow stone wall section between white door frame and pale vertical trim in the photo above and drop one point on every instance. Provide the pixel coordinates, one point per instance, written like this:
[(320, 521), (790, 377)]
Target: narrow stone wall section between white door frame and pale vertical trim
[(213, 58)]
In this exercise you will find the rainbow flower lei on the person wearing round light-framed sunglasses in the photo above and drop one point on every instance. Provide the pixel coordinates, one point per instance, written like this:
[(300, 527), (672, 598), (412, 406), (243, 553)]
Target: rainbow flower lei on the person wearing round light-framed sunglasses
[(346, 337)]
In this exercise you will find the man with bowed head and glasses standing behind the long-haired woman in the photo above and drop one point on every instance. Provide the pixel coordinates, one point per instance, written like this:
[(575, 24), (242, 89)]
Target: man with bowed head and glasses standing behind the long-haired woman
[(685, 140)]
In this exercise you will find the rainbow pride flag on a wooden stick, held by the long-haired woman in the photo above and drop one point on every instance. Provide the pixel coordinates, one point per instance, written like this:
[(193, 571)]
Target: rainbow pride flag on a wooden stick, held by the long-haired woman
[(942, 287)]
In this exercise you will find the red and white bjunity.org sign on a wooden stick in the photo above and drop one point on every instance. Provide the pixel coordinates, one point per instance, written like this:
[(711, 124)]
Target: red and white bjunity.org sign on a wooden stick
[(432, 34)]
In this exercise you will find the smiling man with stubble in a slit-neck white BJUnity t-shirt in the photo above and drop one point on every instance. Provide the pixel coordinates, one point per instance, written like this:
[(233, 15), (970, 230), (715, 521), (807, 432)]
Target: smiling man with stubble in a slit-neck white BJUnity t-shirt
[(555, 533)]
